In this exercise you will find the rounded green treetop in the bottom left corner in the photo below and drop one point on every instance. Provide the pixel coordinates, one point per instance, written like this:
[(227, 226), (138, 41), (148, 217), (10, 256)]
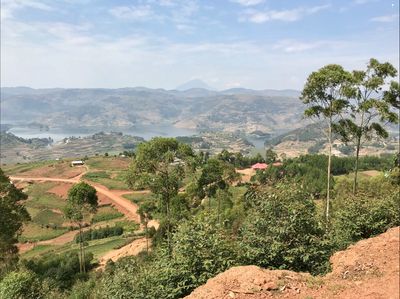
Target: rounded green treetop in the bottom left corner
[(21, 284)]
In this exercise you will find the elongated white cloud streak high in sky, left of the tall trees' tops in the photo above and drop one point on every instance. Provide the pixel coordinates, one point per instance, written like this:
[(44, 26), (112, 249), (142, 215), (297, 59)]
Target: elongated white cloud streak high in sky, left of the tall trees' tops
[(290, 15)]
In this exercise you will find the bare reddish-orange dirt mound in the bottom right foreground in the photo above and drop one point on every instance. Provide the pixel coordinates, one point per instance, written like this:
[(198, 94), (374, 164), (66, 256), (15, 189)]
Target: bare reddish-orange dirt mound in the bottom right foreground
[(367, 269)]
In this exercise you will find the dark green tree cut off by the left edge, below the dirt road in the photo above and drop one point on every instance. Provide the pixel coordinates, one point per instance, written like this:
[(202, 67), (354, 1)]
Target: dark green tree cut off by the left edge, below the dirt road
[(13, 214)]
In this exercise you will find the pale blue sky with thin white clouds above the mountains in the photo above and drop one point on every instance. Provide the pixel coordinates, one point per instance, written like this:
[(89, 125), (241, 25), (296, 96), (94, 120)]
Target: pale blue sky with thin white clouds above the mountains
[(258, 44)]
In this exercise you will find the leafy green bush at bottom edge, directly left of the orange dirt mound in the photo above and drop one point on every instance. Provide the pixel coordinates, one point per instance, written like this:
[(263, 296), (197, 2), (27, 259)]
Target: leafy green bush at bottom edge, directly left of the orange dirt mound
[(200, 250)]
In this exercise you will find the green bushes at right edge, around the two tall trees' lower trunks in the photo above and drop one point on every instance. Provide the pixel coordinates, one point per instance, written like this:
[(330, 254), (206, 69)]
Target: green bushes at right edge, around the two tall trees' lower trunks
[(373, 210)]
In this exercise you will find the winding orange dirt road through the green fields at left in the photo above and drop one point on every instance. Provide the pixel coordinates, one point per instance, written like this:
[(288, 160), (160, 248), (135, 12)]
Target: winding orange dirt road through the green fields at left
[(122, 204)]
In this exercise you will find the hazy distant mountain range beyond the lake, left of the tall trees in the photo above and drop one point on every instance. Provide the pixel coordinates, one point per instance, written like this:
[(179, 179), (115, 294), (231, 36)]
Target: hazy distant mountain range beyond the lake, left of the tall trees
[(234, 110)]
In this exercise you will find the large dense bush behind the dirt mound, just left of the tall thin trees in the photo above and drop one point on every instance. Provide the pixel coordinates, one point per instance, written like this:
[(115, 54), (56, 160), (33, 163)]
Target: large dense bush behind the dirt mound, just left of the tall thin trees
[(282, 231)]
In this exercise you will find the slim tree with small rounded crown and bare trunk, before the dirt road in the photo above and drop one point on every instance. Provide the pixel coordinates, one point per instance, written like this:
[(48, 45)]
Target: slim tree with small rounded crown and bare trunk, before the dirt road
[(82, 199)]
